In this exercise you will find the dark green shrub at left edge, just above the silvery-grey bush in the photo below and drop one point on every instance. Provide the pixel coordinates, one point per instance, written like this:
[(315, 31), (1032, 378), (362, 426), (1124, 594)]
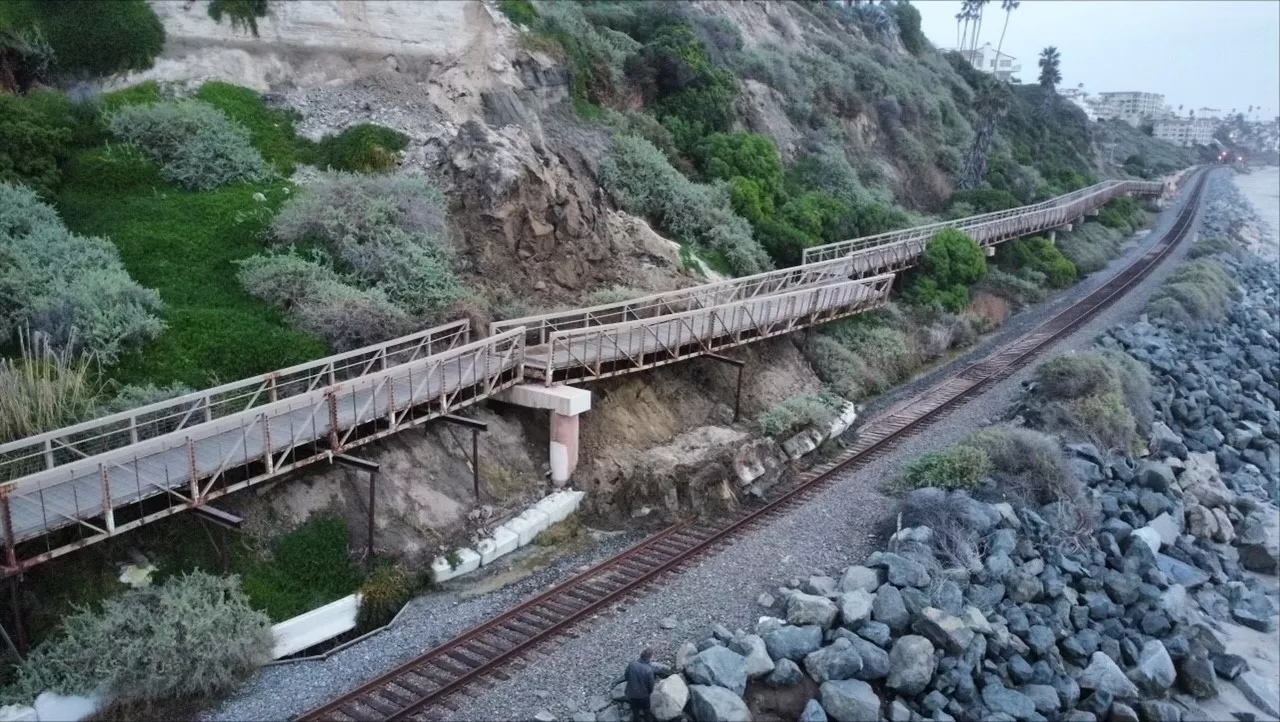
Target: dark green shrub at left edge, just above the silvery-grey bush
[(31, 150)]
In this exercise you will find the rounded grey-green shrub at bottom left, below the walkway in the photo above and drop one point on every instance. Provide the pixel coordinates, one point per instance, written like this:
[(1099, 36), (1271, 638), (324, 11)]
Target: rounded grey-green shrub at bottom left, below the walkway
[(189, 638)]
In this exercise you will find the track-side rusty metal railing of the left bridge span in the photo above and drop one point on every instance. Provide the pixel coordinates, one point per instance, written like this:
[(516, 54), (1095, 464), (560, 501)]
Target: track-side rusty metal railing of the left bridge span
[(195, 465)]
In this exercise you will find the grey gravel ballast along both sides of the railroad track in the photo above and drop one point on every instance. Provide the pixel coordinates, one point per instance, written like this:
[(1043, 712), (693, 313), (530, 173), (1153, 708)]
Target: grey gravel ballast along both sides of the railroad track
[(817, 538)]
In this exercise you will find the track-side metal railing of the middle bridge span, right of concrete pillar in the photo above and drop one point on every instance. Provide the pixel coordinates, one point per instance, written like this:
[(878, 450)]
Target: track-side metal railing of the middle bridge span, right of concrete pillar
[(618, 349)]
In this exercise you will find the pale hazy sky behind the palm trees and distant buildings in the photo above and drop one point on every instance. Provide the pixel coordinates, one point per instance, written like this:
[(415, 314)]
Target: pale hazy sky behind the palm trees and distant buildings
[(1219, 54)]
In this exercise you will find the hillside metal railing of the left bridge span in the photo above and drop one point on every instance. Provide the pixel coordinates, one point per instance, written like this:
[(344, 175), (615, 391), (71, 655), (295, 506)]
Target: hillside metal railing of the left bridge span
[(125, 429)]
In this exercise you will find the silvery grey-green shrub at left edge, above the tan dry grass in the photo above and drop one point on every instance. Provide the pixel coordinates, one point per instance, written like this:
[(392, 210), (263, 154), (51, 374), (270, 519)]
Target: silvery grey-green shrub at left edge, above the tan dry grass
[(68, 287)]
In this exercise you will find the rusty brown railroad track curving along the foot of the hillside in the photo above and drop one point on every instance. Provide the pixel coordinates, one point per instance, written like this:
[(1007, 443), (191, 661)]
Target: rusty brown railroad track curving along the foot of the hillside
[(478, 656)]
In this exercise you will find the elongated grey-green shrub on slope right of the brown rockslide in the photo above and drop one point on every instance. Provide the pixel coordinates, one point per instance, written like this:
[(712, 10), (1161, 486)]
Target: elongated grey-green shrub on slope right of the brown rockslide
[(646, 184)]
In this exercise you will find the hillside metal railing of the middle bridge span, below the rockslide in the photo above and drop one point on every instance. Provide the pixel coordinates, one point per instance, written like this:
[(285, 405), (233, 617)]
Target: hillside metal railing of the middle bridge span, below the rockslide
[(542, 327)]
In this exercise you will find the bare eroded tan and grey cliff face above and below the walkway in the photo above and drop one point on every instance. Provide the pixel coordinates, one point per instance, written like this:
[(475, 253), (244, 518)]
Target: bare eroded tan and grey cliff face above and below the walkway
[(490, 125)]
